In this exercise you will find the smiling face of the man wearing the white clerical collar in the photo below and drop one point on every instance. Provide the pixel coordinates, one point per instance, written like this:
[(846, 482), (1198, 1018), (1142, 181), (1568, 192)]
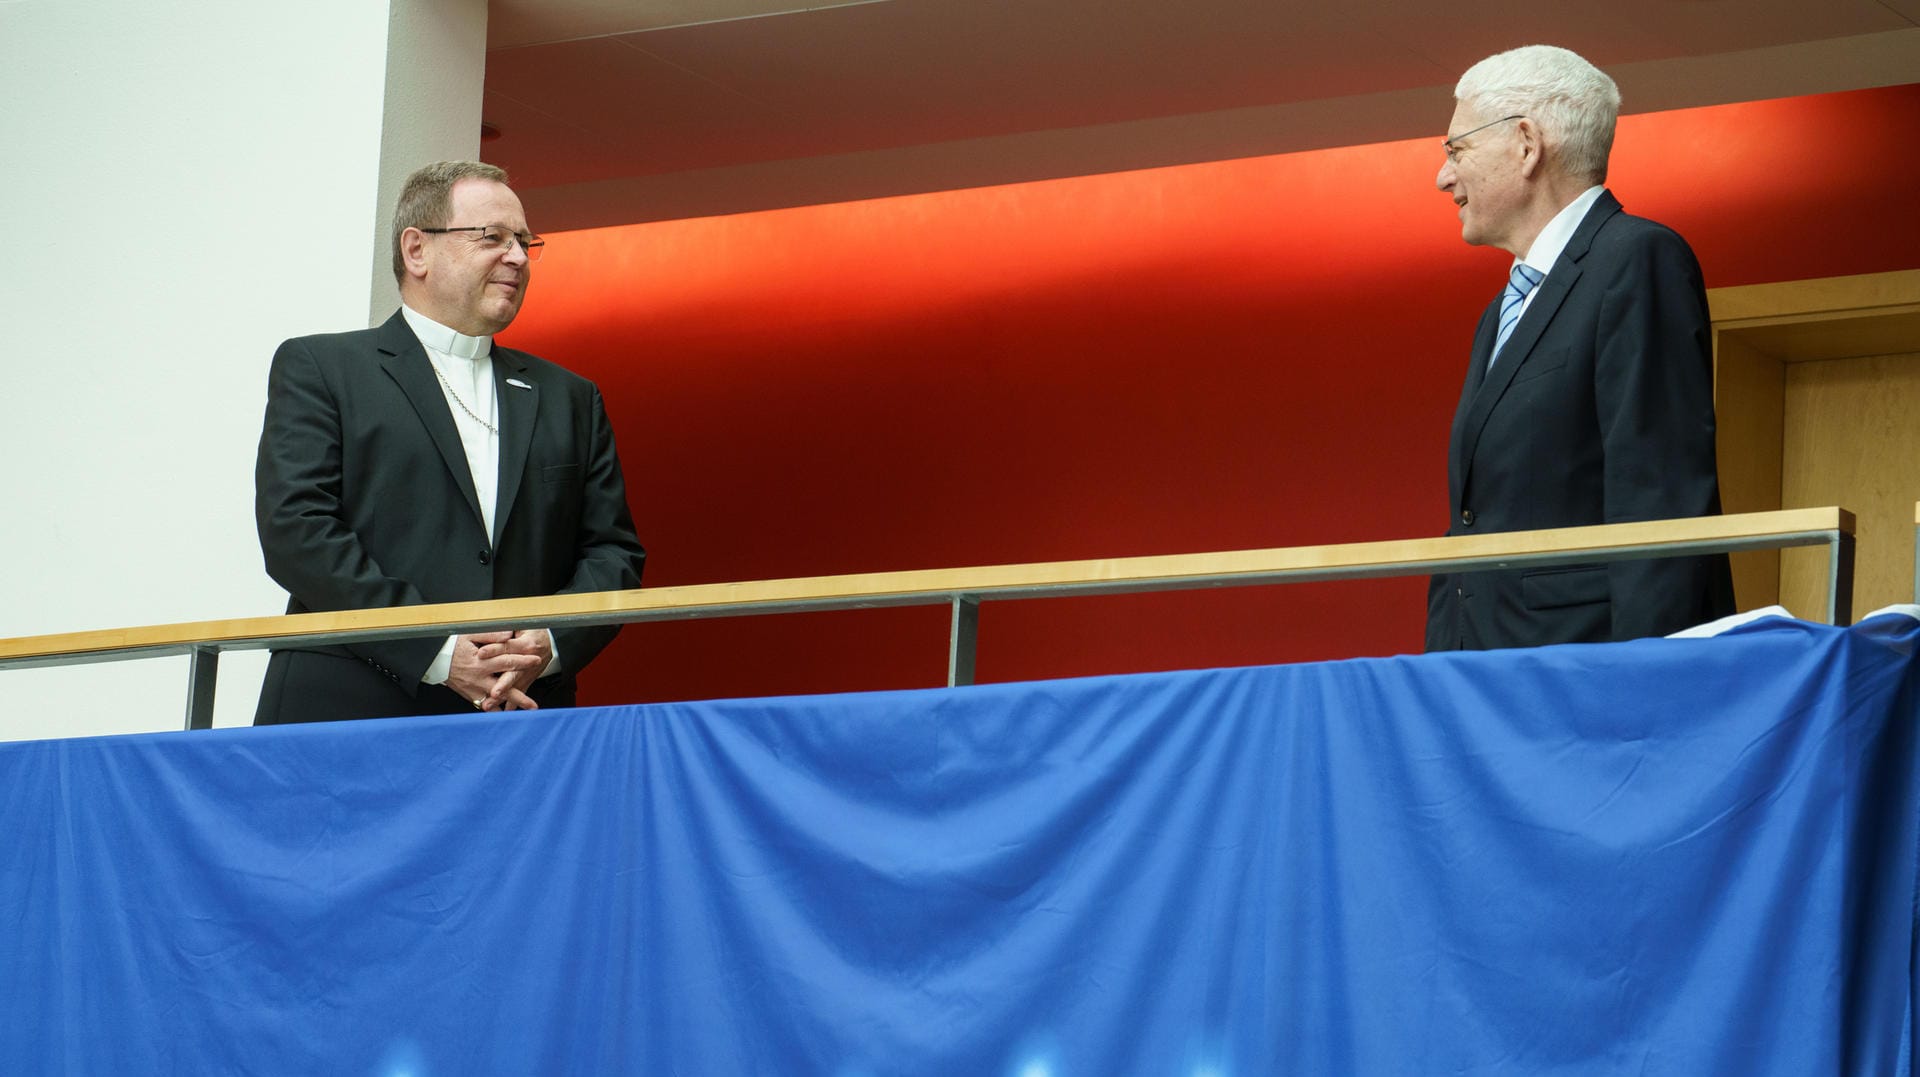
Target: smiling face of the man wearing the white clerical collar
[(458, 283)]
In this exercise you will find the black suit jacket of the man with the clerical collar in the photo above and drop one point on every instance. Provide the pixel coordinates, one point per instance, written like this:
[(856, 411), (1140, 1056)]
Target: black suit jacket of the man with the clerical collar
[(364, 498)]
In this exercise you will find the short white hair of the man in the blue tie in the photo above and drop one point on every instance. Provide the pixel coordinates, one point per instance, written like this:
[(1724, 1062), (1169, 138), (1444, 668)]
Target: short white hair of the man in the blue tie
[(1572, 101)]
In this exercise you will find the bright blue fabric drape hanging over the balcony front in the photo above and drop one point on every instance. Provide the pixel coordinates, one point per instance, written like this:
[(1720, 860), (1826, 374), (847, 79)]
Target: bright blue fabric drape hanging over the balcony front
[(1673, 857)]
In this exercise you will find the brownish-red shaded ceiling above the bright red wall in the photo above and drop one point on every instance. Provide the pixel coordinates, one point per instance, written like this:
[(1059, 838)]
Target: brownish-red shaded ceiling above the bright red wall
[(613, 112)]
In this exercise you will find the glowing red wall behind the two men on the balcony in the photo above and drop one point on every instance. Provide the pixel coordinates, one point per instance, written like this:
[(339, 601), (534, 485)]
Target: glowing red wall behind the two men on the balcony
[(1222, 356)]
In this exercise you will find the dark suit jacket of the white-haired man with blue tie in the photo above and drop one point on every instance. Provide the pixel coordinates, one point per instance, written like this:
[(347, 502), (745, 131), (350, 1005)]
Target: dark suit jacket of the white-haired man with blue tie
[(1598, 412)]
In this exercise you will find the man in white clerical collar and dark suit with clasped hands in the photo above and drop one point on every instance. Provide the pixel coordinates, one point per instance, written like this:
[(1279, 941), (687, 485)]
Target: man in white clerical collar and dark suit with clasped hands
[(420, 464)]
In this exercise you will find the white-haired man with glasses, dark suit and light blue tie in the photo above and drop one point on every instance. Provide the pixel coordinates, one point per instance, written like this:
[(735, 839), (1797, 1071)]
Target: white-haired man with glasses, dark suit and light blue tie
[(1589, 398)]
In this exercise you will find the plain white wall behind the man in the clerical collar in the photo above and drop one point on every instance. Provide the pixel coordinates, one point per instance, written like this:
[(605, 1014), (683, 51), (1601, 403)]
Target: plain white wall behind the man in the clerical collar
[(187, 187)]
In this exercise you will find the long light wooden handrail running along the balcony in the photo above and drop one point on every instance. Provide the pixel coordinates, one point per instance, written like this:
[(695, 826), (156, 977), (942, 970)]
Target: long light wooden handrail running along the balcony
[(1401, 558)]
